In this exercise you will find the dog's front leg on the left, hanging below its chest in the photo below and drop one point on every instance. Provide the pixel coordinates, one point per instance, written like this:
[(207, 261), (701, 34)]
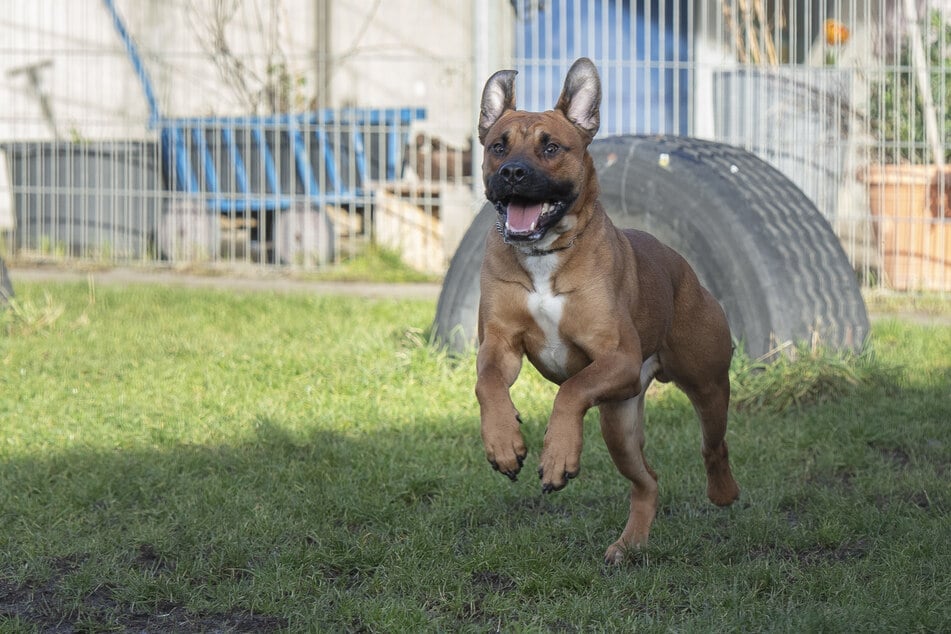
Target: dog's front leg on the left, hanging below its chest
[(498, 365)]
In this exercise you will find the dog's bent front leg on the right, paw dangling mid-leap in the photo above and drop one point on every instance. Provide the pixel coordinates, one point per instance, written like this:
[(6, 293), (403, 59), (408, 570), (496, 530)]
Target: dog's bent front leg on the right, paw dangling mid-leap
[(614, 376)]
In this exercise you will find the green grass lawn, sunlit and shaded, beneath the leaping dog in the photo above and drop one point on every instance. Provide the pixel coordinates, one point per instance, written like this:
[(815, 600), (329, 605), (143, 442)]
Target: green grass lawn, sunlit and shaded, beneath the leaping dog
[(191, 460)]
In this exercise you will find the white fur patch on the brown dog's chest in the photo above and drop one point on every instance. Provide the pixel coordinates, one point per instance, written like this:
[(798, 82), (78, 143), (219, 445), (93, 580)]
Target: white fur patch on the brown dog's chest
[(546, 309)]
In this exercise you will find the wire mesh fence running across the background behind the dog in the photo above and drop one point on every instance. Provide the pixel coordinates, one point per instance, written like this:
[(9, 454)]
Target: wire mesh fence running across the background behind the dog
[(294, 133)]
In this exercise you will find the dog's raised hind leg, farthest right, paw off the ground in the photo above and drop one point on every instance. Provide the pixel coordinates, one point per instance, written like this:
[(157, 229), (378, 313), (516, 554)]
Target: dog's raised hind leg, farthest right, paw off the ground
[(711, 403)]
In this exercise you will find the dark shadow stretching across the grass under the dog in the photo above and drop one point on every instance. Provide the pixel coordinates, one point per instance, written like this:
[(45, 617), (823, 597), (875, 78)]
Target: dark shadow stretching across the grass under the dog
[(287, 529)]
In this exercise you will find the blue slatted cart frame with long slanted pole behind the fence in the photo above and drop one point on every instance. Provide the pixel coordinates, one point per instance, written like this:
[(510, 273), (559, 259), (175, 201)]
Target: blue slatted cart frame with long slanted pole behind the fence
[(190, 166)]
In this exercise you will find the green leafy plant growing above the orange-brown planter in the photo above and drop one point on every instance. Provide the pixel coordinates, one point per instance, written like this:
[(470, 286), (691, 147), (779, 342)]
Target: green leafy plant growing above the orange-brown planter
[(896, 108)]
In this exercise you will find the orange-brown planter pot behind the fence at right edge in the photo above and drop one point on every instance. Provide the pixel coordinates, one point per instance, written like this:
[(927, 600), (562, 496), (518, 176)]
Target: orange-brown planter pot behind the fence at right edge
[(912, 220)]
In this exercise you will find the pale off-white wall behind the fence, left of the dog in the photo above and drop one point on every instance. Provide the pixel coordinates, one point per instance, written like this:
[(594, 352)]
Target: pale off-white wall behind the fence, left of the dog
[(385, 53)]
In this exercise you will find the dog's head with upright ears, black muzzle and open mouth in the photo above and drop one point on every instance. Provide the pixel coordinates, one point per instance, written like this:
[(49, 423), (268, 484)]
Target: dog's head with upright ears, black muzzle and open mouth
[(536, 166)]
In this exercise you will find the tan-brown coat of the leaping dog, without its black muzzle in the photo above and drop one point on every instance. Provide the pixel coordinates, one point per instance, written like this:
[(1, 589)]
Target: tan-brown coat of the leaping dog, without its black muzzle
[(621, 297)]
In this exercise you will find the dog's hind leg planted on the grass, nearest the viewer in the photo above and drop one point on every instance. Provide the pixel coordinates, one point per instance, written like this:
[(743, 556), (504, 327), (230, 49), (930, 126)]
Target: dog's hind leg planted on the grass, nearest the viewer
[(622, 425)]
